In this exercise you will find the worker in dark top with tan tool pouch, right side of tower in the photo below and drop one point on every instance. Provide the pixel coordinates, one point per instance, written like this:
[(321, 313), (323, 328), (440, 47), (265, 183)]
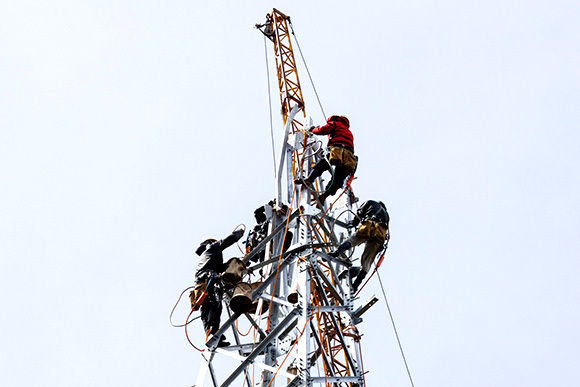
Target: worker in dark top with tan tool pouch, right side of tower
[(373, 231)]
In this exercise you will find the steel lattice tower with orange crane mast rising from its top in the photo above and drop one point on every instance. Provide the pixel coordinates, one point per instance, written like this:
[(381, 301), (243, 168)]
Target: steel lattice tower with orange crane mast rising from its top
[(301, 314)]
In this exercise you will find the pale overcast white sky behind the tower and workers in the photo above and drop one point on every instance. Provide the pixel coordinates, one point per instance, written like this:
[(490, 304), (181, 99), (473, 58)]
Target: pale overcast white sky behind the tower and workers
[(131, 130)]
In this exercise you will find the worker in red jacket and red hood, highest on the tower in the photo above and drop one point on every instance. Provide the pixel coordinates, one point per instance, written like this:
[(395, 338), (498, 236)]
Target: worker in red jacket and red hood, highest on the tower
[(340, 154)]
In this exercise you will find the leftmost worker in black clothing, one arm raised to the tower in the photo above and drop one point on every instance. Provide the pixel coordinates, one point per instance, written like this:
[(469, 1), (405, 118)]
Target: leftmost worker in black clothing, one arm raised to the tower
[(209, 267)]
